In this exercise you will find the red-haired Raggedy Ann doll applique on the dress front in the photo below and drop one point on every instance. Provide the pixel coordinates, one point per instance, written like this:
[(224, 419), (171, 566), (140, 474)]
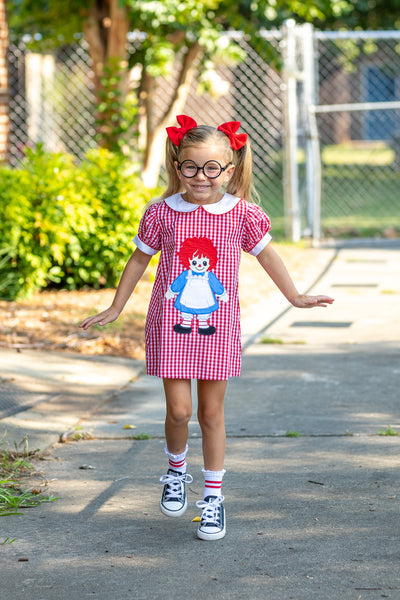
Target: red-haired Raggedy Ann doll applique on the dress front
[(196, 289)]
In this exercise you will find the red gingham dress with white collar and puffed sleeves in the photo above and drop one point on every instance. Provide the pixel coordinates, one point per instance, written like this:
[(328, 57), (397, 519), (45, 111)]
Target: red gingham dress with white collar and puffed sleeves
[(231, 225)]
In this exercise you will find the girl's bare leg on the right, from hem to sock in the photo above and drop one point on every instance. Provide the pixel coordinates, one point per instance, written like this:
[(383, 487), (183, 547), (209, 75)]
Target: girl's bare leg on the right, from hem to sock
[(212, 422)]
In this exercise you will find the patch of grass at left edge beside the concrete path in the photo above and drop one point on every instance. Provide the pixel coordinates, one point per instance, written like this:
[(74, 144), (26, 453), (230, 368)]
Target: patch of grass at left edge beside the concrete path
[(15, 467)]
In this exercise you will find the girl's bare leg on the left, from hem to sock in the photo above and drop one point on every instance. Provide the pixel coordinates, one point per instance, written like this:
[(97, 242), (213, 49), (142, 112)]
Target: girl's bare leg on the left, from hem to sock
[(179, 410)]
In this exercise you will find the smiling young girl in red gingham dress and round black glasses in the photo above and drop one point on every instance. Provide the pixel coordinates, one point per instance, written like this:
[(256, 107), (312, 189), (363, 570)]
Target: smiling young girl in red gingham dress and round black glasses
[(192, 327)]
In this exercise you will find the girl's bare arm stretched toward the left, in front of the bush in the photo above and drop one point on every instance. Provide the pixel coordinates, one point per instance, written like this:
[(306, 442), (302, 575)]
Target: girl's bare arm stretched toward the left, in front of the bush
[(134, 269)]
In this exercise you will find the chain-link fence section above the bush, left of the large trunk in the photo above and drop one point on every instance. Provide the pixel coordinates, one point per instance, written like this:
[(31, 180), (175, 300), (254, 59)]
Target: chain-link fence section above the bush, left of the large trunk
[(52, 101)]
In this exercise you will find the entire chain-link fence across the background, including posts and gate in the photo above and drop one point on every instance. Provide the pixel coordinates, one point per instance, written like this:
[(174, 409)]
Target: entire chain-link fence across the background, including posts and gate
[(323, 114)]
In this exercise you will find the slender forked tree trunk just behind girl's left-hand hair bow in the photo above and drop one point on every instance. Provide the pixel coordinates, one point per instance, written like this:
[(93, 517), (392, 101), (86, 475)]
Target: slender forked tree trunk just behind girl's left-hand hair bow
[(154, 152)]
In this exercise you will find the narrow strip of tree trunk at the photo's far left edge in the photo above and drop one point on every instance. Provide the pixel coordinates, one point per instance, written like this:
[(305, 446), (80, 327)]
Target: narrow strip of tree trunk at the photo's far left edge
[(4, 92)]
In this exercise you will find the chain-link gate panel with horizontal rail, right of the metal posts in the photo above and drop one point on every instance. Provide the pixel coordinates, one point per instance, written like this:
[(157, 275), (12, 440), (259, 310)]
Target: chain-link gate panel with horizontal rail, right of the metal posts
[(359, 131)]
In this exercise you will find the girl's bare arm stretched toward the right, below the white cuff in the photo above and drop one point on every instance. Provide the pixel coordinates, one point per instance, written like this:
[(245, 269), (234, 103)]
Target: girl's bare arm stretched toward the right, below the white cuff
[(272, 263)]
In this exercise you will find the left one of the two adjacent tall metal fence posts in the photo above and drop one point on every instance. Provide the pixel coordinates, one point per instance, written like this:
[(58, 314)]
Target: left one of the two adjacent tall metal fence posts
[(290, 137)]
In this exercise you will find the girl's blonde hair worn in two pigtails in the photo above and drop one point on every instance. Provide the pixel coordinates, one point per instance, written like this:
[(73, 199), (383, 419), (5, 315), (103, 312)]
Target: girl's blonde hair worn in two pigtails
[(240, 183)]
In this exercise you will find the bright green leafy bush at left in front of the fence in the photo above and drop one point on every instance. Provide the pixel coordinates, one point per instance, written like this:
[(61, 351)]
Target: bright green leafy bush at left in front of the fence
[(66, 225)]
